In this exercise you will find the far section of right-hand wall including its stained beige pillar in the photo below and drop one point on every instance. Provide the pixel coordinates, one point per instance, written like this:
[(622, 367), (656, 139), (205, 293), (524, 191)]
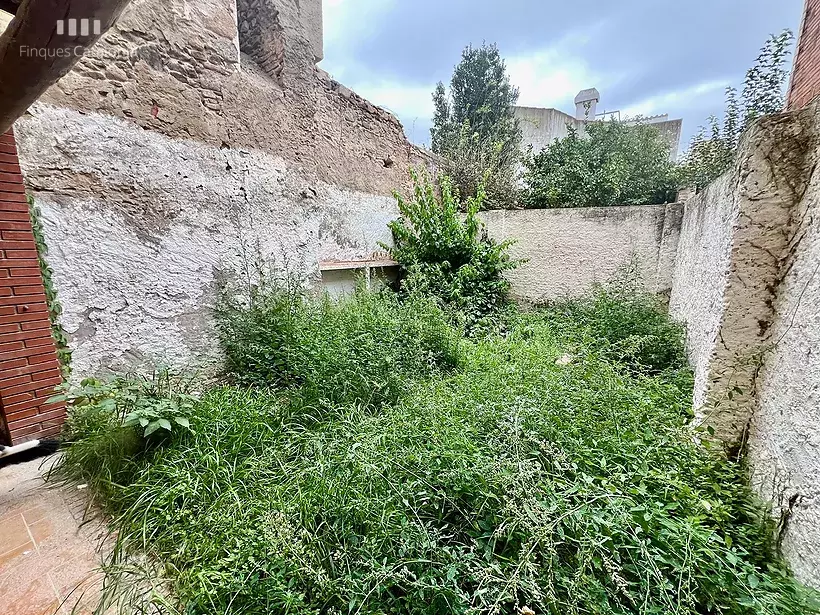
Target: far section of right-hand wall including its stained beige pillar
[(733, 246)]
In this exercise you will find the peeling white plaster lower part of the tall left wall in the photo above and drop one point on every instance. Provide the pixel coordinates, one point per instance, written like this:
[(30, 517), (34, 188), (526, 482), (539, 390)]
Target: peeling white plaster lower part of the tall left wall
[(141, 228)]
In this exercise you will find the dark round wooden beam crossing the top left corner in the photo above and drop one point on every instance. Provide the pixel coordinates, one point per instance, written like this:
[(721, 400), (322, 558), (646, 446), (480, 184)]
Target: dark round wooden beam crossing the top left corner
[(35, 52)]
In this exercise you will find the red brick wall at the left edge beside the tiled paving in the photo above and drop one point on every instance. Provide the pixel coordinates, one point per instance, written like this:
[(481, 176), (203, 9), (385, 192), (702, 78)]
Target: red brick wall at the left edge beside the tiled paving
[(29, 369)]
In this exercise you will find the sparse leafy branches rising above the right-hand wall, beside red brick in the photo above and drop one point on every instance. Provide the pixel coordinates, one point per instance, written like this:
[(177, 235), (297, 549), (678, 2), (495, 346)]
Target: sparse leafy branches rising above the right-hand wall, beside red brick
[(712, 150)]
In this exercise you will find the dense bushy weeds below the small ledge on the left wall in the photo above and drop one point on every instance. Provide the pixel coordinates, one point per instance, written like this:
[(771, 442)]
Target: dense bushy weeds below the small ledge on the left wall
[(363, 348)]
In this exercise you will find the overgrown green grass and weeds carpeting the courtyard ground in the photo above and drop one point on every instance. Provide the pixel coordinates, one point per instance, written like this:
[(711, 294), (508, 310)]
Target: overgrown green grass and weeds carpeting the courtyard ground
[(509, 482)]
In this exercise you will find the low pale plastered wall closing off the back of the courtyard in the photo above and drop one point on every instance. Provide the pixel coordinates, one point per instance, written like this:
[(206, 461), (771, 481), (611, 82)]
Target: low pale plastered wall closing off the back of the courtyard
[(569, 250)]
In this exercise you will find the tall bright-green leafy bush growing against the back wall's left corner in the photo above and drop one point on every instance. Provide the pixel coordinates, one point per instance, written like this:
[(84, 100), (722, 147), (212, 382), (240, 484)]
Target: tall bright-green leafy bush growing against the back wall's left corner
[(451, 259)]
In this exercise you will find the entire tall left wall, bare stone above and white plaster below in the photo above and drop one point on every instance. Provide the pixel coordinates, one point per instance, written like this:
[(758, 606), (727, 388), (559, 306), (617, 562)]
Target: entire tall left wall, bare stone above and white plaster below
[(180, 150)]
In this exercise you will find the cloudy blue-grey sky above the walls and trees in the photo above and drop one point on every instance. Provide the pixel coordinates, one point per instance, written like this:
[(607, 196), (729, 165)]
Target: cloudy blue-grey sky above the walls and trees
[(644, 56)]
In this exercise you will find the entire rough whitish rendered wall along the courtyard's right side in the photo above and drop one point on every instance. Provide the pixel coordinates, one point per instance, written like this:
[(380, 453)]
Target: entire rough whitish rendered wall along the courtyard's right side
[(745, 284)]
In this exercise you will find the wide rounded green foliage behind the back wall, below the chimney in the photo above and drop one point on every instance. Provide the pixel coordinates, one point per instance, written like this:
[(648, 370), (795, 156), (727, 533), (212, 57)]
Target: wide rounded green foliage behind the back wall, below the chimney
[(613, 163)]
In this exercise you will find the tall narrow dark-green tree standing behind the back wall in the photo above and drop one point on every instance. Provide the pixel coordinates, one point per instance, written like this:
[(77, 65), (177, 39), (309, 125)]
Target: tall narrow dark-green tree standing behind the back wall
[(475, 129)]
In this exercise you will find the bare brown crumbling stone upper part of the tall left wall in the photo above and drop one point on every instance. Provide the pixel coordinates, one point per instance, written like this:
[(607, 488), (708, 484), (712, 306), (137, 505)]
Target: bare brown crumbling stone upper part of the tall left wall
[(175, 68)]
